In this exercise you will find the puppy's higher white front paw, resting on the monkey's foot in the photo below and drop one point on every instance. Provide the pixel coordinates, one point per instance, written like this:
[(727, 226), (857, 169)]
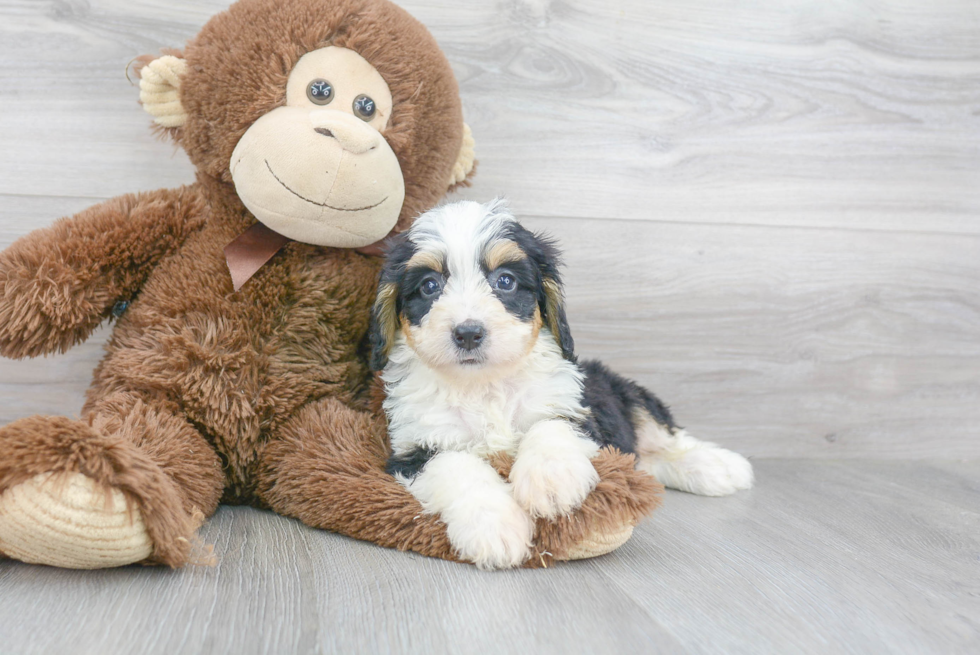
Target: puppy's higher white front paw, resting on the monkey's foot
[(553, 472)]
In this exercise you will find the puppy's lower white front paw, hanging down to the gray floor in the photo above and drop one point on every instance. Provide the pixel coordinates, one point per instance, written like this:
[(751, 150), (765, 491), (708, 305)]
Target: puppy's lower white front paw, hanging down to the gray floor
[(492, 535)]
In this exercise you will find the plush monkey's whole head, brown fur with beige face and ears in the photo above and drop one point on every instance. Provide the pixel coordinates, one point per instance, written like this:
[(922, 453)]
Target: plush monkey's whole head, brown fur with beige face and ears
[(333, 120)]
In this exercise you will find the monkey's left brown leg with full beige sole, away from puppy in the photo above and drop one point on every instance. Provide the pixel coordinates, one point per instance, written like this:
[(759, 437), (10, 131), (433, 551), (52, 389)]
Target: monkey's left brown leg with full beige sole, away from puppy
[(131, 483)]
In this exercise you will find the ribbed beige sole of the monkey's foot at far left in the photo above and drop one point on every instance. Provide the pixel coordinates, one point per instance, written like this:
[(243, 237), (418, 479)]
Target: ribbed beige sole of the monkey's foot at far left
[(70, 521)]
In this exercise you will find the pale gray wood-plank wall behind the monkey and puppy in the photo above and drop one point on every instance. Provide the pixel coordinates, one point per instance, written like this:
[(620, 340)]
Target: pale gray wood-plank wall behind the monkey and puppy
[(770, 210)]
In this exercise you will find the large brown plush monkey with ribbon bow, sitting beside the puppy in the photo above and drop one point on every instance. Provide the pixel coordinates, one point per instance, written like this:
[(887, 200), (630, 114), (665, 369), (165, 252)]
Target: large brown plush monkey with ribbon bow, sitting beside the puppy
[(236, 371)]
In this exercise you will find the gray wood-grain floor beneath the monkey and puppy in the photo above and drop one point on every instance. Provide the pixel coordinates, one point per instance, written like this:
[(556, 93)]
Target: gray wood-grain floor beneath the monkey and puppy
[(822, 557)]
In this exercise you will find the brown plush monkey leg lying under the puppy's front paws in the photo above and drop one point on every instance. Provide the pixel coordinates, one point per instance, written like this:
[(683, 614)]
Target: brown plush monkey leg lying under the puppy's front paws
[(326, 468)]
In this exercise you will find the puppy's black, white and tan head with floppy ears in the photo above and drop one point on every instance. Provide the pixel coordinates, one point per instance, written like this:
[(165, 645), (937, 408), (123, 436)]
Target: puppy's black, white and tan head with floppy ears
[(470, 290)]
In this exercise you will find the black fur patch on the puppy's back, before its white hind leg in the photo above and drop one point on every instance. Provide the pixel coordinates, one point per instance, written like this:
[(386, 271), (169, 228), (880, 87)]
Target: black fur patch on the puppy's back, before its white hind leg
[(612, 400)]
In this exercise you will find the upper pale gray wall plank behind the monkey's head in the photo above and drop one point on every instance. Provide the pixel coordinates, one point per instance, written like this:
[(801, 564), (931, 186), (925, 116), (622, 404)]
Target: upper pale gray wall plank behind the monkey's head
[(755, 113)]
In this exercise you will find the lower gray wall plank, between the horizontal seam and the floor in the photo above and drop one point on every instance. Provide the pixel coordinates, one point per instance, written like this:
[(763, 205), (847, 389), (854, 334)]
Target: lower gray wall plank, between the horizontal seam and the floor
[(777, 342)]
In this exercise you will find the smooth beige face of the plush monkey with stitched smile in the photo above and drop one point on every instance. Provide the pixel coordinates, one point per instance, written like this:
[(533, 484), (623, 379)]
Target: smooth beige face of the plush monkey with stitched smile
[(318, 169)]
